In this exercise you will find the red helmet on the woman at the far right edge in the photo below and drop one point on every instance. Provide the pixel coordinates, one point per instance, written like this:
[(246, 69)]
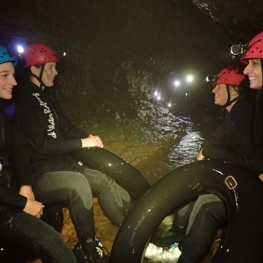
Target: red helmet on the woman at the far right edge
[(254, 49)]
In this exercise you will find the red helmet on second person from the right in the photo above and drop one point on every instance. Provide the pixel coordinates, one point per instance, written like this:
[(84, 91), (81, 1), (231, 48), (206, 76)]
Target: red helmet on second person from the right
[(230, 75)]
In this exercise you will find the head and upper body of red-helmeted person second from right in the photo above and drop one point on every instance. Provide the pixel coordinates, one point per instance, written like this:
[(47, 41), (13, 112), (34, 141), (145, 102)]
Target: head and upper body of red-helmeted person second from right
[(231, 140)]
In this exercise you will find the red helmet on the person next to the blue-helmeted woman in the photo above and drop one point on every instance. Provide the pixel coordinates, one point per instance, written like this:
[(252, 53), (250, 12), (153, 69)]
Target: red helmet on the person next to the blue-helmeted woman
[(37, 54)]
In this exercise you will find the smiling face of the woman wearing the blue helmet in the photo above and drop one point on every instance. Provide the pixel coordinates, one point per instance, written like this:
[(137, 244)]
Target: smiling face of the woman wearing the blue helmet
[(7, 80)]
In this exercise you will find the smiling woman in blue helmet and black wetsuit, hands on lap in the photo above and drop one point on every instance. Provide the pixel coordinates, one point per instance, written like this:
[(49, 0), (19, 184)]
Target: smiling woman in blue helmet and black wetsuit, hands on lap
[(20, 213)]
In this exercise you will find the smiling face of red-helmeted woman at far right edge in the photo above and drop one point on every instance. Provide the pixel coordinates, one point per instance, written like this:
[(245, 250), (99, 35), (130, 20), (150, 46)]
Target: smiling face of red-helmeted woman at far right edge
[(254, 72)]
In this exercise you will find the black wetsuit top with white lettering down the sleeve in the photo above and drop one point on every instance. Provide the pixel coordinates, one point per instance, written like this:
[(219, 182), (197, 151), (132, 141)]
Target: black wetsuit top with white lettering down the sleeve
[(52, 136)]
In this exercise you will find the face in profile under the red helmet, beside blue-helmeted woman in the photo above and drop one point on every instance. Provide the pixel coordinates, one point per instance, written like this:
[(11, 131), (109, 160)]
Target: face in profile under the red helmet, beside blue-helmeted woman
[(48, 76)]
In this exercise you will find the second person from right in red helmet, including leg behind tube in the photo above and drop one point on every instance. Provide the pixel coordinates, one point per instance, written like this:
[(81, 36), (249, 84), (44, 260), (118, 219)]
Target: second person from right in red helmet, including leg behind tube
[(232, 140)]
